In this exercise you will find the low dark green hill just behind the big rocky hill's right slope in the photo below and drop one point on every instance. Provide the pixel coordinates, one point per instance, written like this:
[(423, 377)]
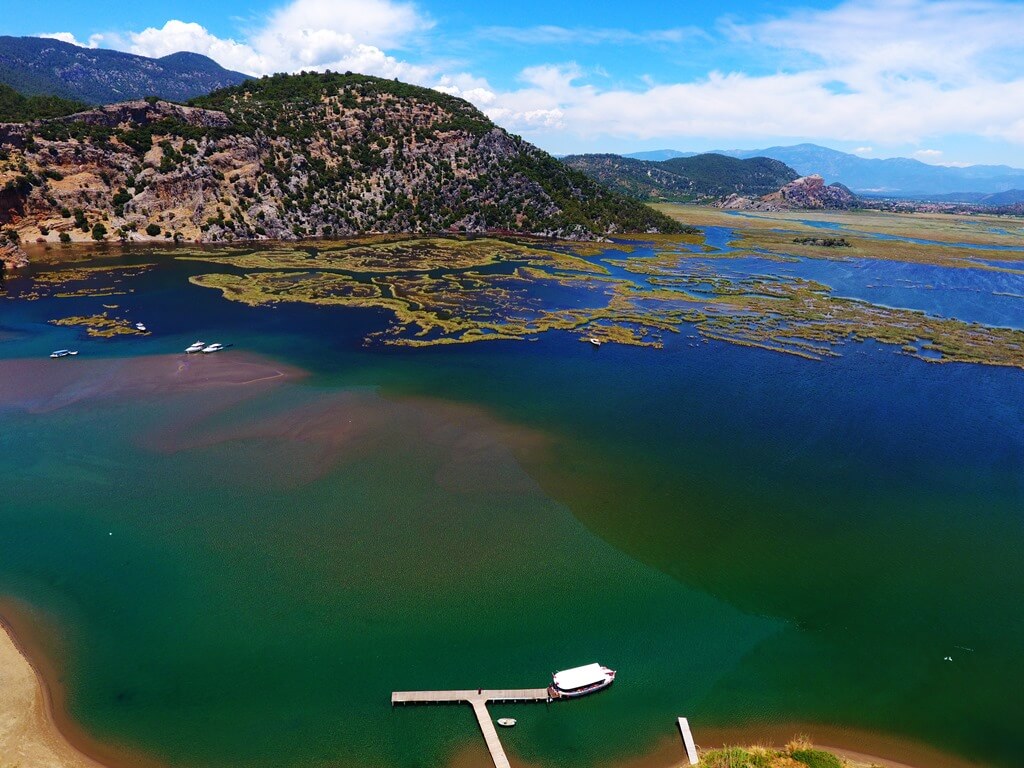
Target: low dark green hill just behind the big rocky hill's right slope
[(701, 178)]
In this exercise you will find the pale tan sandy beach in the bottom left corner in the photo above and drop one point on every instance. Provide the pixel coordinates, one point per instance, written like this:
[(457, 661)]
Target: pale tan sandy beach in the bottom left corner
[(29, 736)]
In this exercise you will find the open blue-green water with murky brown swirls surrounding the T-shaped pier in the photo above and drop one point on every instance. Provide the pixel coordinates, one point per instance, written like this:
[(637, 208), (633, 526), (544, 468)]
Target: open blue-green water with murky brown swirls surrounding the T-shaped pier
[(242, 576)]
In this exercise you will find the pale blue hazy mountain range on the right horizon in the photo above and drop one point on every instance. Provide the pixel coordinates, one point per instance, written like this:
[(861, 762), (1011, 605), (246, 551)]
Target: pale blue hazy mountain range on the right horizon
[(894, 177)]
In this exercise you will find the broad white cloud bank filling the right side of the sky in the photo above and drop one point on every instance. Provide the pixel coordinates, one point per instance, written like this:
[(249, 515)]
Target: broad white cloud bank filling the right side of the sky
[(884, 71)]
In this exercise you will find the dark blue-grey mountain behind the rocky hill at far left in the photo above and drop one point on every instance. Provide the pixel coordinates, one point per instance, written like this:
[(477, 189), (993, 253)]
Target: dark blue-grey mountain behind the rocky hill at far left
[(40, 67)]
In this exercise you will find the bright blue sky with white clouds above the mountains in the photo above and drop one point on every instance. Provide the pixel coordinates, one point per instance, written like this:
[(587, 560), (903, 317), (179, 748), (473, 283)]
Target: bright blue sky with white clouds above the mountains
[(938, 80)]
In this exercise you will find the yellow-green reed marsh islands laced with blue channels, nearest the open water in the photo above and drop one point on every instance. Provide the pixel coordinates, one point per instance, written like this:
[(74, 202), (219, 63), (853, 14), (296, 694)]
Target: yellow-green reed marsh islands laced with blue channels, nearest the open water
[(440, 291)]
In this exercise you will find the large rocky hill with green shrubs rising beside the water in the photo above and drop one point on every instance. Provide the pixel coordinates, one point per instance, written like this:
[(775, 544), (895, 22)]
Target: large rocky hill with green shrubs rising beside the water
[(293, 157)]
